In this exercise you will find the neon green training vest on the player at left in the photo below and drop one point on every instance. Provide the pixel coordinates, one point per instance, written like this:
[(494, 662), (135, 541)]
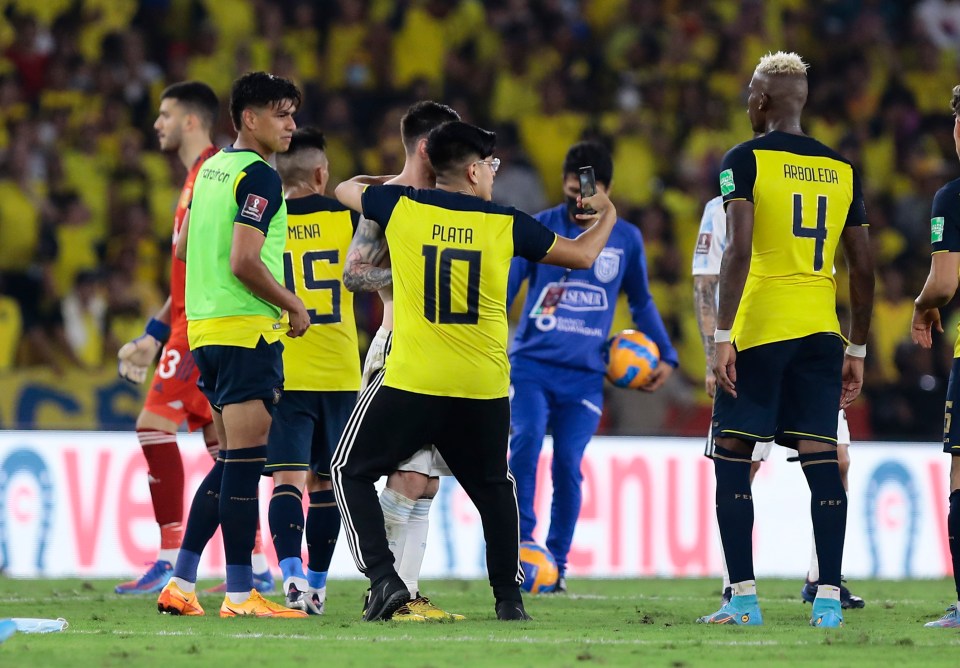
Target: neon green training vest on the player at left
[(212, 291)]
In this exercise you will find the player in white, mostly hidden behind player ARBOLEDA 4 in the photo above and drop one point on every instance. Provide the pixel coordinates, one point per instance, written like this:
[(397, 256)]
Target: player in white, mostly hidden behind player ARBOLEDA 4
[(711, 242)]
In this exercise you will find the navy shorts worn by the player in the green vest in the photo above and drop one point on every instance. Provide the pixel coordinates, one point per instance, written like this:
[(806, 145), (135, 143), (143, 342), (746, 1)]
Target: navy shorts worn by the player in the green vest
[(233, 375)]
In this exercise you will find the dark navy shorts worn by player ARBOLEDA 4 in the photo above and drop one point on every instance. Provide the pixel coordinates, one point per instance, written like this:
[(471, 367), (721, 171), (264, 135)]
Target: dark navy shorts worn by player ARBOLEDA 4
[(787, 391)]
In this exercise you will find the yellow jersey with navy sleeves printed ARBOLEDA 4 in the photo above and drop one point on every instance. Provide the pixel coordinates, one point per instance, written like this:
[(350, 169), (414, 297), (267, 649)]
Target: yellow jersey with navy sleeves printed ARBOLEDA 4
[(803, 194)]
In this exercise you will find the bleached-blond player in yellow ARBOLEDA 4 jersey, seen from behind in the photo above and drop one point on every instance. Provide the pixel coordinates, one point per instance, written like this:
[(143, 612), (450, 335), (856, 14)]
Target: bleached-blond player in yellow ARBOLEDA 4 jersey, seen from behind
[(790, 202)]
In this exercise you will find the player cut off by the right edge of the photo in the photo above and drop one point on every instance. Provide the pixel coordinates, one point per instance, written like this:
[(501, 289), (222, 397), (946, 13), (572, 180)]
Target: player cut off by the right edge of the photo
[(939, 289)]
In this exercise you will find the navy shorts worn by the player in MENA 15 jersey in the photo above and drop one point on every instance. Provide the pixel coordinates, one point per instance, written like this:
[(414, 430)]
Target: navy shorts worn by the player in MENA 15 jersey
[(306, 429)]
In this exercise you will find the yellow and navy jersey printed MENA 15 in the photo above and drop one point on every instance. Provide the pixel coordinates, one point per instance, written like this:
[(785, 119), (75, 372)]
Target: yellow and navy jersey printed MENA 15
[(327, 357)]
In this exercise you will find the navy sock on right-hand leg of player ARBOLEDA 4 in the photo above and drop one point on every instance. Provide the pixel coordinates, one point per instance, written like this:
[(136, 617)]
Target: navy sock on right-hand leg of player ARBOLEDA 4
[(828, 511)]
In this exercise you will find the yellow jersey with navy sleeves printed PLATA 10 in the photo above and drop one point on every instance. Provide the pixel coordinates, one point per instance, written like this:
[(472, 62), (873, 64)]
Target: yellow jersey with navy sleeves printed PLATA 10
[(450, 254)]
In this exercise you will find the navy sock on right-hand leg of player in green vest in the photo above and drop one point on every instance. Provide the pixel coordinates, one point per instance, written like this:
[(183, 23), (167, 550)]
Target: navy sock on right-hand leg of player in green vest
[(239, 510)]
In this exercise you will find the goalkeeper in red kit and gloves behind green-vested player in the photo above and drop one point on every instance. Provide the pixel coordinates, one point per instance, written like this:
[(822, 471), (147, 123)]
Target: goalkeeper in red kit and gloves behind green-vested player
[(185, 122)]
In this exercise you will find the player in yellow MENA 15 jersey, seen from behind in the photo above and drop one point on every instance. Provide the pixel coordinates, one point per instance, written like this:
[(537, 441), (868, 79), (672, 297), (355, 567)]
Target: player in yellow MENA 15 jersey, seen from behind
[(321, 373)]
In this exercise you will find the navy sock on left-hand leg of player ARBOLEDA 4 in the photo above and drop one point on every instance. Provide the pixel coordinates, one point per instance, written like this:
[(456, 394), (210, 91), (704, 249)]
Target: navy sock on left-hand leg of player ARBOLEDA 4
[(735, 511)]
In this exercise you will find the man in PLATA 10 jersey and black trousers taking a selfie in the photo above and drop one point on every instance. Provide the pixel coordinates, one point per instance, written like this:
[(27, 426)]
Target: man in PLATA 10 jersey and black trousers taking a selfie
[(448, 375)]
